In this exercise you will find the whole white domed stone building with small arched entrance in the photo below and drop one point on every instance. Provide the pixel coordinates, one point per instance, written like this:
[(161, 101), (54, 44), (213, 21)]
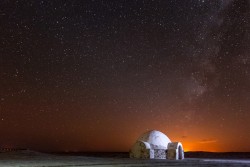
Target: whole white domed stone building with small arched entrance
[(156, 145)]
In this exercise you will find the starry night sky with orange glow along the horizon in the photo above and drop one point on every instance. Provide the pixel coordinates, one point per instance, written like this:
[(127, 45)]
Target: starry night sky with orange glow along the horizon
[(94, 75)]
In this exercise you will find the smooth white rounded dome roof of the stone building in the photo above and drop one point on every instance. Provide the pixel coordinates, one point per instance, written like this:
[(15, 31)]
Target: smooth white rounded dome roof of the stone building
[(155, 137)]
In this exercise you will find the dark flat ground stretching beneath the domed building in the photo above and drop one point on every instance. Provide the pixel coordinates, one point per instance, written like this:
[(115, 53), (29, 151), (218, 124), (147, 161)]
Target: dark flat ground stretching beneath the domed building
[(35, 159)]
